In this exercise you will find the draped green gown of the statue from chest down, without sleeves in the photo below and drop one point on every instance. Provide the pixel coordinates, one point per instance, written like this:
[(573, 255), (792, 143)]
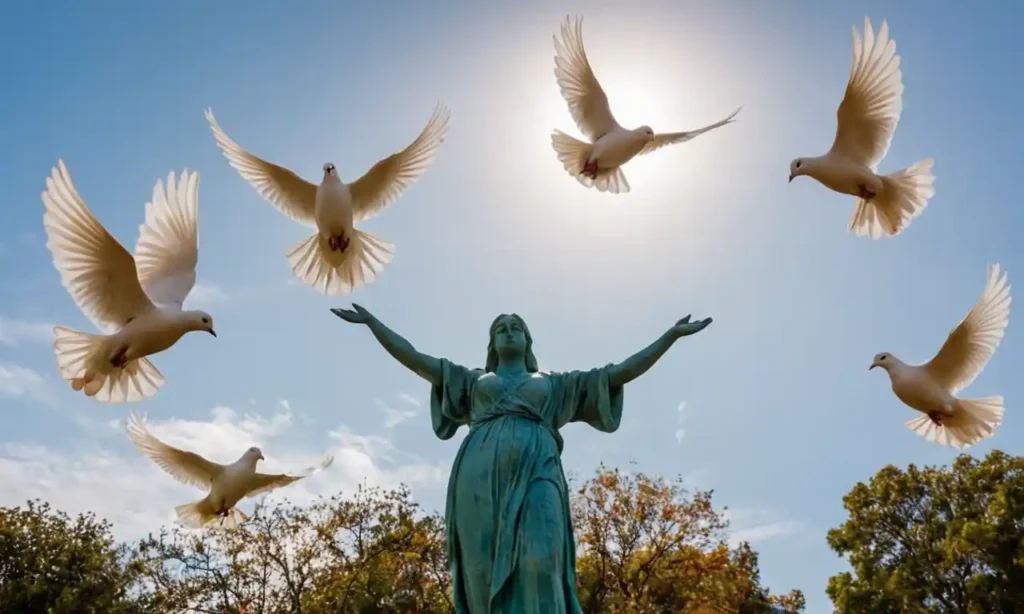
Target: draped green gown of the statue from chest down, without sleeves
[(508, 499)]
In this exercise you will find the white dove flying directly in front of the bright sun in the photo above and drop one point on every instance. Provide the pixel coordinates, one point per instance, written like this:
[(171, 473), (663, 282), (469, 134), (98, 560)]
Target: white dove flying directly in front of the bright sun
[(599, 163)]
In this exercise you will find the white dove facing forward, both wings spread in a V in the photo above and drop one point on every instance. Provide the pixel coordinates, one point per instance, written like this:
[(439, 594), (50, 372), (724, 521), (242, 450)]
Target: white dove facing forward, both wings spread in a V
[(338, 258)]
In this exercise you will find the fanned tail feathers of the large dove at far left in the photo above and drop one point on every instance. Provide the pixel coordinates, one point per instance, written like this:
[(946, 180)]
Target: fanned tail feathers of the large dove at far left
[(83, 364)]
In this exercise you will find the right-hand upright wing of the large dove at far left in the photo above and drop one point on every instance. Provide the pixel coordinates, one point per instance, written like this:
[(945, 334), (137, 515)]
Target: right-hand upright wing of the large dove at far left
[(168, 242)]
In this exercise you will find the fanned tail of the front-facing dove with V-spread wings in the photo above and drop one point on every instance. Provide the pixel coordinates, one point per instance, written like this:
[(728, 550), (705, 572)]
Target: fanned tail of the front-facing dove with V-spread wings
[(335, 273)]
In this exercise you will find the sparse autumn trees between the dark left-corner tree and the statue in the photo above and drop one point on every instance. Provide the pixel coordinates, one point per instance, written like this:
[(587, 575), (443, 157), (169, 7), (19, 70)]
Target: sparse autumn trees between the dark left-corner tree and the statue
[(372, 553)]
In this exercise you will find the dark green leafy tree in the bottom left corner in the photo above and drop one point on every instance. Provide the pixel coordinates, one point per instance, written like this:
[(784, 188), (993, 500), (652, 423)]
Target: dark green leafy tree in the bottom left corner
[(53, 564)]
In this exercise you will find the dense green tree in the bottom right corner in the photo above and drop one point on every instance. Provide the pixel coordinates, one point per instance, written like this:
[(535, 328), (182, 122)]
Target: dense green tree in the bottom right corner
[(934, 540)]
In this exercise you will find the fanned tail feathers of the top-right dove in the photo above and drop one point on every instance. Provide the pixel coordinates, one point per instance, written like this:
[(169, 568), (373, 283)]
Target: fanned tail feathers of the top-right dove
[(905, 195)]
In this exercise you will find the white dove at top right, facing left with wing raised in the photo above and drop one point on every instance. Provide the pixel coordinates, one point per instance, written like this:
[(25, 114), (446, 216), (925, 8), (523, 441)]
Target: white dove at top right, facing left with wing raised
[(868, 118)]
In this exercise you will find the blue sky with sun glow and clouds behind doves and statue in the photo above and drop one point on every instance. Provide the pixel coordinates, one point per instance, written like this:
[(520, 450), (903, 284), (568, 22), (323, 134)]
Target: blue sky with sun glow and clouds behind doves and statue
[(782, 417)]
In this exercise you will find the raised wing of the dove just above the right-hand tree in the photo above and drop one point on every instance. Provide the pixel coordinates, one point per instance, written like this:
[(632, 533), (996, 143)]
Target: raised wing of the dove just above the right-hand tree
[(971, 344)]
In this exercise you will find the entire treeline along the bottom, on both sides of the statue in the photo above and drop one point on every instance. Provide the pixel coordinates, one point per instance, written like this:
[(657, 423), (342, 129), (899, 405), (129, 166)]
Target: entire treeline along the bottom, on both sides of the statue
[(932, 540)]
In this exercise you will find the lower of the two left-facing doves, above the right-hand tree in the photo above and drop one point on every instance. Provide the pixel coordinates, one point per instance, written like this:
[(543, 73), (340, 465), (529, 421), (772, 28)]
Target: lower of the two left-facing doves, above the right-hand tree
[(930, 388)]
